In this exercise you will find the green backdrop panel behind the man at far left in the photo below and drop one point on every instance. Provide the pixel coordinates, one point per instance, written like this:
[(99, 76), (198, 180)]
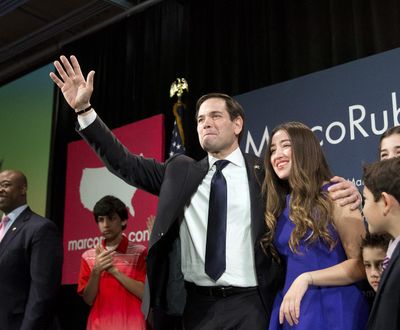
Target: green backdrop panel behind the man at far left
[(26, 109)]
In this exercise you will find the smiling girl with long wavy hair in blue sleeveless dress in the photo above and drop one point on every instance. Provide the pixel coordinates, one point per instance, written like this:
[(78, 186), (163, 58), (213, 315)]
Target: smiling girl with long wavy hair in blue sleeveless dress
[(317, 240)]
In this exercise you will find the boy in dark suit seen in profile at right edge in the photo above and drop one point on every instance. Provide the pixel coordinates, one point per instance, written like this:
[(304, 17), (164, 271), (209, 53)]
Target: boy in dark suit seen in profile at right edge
[(382, 211)]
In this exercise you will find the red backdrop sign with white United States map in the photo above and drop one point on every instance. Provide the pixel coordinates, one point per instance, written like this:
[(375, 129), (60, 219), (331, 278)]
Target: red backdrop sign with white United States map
[(87, 181)]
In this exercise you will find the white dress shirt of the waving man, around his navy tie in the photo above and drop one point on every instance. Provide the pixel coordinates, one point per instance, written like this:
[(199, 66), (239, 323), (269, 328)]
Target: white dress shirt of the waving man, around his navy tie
[(240, 270)]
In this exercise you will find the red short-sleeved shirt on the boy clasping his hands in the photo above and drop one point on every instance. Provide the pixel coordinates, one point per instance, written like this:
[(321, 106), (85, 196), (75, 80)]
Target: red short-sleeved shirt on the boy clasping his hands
[(115, 308)]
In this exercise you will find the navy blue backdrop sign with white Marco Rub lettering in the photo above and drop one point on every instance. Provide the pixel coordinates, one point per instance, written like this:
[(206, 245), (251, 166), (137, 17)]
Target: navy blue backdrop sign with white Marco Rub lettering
[(348, 107)]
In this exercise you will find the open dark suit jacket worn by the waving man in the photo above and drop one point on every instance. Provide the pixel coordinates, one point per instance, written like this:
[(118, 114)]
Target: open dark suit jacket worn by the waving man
[(175, 181)]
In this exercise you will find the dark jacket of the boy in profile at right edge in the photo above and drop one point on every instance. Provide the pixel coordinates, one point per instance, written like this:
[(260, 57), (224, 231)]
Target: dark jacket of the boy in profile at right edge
[(385, 313)]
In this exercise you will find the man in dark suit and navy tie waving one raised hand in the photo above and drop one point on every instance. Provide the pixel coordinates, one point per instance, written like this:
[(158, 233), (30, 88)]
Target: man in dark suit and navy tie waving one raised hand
[(178, 280)]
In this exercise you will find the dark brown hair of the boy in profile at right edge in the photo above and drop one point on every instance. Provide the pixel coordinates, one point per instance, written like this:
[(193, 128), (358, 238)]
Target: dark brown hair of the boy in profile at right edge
[(383, 176)]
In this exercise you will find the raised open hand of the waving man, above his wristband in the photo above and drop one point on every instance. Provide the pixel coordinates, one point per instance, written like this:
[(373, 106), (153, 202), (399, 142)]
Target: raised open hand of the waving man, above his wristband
[(76, 90)]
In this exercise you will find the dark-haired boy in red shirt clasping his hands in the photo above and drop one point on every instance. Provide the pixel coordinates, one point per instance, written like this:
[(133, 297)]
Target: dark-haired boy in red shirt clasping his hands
[(112, 275)]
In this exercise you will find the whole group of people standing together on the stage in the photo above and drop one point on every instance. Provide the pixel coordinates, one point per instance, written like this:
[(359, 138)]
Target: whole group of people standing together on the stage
[(237, 242)]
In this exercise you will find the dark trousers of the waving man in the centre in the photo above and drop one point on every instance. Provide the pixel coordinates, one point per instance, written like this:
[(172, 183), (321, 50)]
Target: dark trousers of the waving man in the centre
[(239, 311)]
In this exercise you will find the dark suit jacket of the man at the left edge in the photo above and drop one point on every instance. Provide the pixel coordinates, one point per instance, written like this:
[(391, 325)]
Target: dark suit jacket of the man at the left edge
[(30, 272)]
